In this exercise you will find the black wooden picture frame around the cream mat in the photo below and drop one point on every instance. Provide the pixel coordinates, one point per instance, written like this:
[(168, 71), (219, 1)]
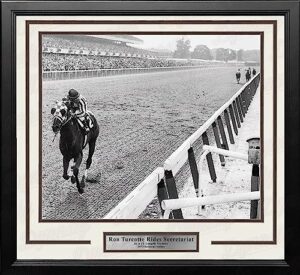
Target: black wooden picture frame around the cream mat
[(10, 9)]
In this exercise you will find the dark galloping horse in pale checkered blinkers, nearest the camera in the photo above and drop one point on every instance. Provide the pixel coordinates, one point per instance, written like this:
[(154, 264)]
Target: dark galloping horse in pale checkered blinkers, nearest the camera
[(72, 141)]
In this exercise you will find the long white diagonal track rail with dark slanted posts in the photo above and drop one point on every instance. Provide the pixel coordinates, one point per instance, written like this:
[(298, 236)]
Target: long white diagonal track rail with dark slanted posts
[(161, 181)]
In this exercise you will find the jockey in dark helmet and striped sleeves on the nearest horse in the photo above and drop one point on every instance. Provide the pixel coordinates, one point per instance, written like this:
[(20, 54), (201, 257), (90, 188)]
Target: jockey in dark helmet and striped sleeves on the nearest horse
[(78, 108)]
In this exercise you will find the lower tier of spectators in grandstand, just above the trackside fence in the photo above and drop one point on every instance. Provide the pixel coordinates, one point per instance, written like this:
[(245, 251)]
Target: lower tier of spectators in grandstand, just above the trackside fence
[(68, 62)]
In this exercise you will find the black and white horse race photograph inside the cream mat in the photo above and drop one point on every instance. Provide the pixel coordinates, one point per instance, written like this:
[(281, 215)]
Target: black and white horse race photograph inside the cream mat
[(150, 126)]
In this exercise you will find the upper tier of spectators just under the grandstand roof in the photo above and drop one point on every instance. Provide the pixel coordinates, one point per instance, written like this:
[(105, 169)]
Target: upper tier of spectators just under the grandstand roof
[(91, 44)]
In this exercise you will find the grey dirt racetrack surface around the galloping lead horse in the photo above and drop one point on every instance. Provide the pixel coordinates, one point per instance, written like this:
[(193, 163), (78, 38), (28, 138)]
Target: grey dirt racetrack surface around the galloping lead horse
[(143, 119)]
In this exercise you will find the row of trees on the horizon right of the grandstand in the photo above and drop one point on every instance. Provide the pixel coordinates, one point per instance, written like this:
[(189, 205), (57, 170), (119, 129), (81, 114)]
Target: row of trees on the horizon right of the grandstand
[(183, 50)]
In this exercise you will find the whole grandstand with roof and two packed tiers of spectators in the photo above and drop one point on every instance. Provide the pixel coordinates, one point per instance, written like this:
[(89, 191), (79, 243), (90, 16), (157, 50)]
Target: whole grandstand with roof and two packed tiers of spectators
[(92, 52)]
